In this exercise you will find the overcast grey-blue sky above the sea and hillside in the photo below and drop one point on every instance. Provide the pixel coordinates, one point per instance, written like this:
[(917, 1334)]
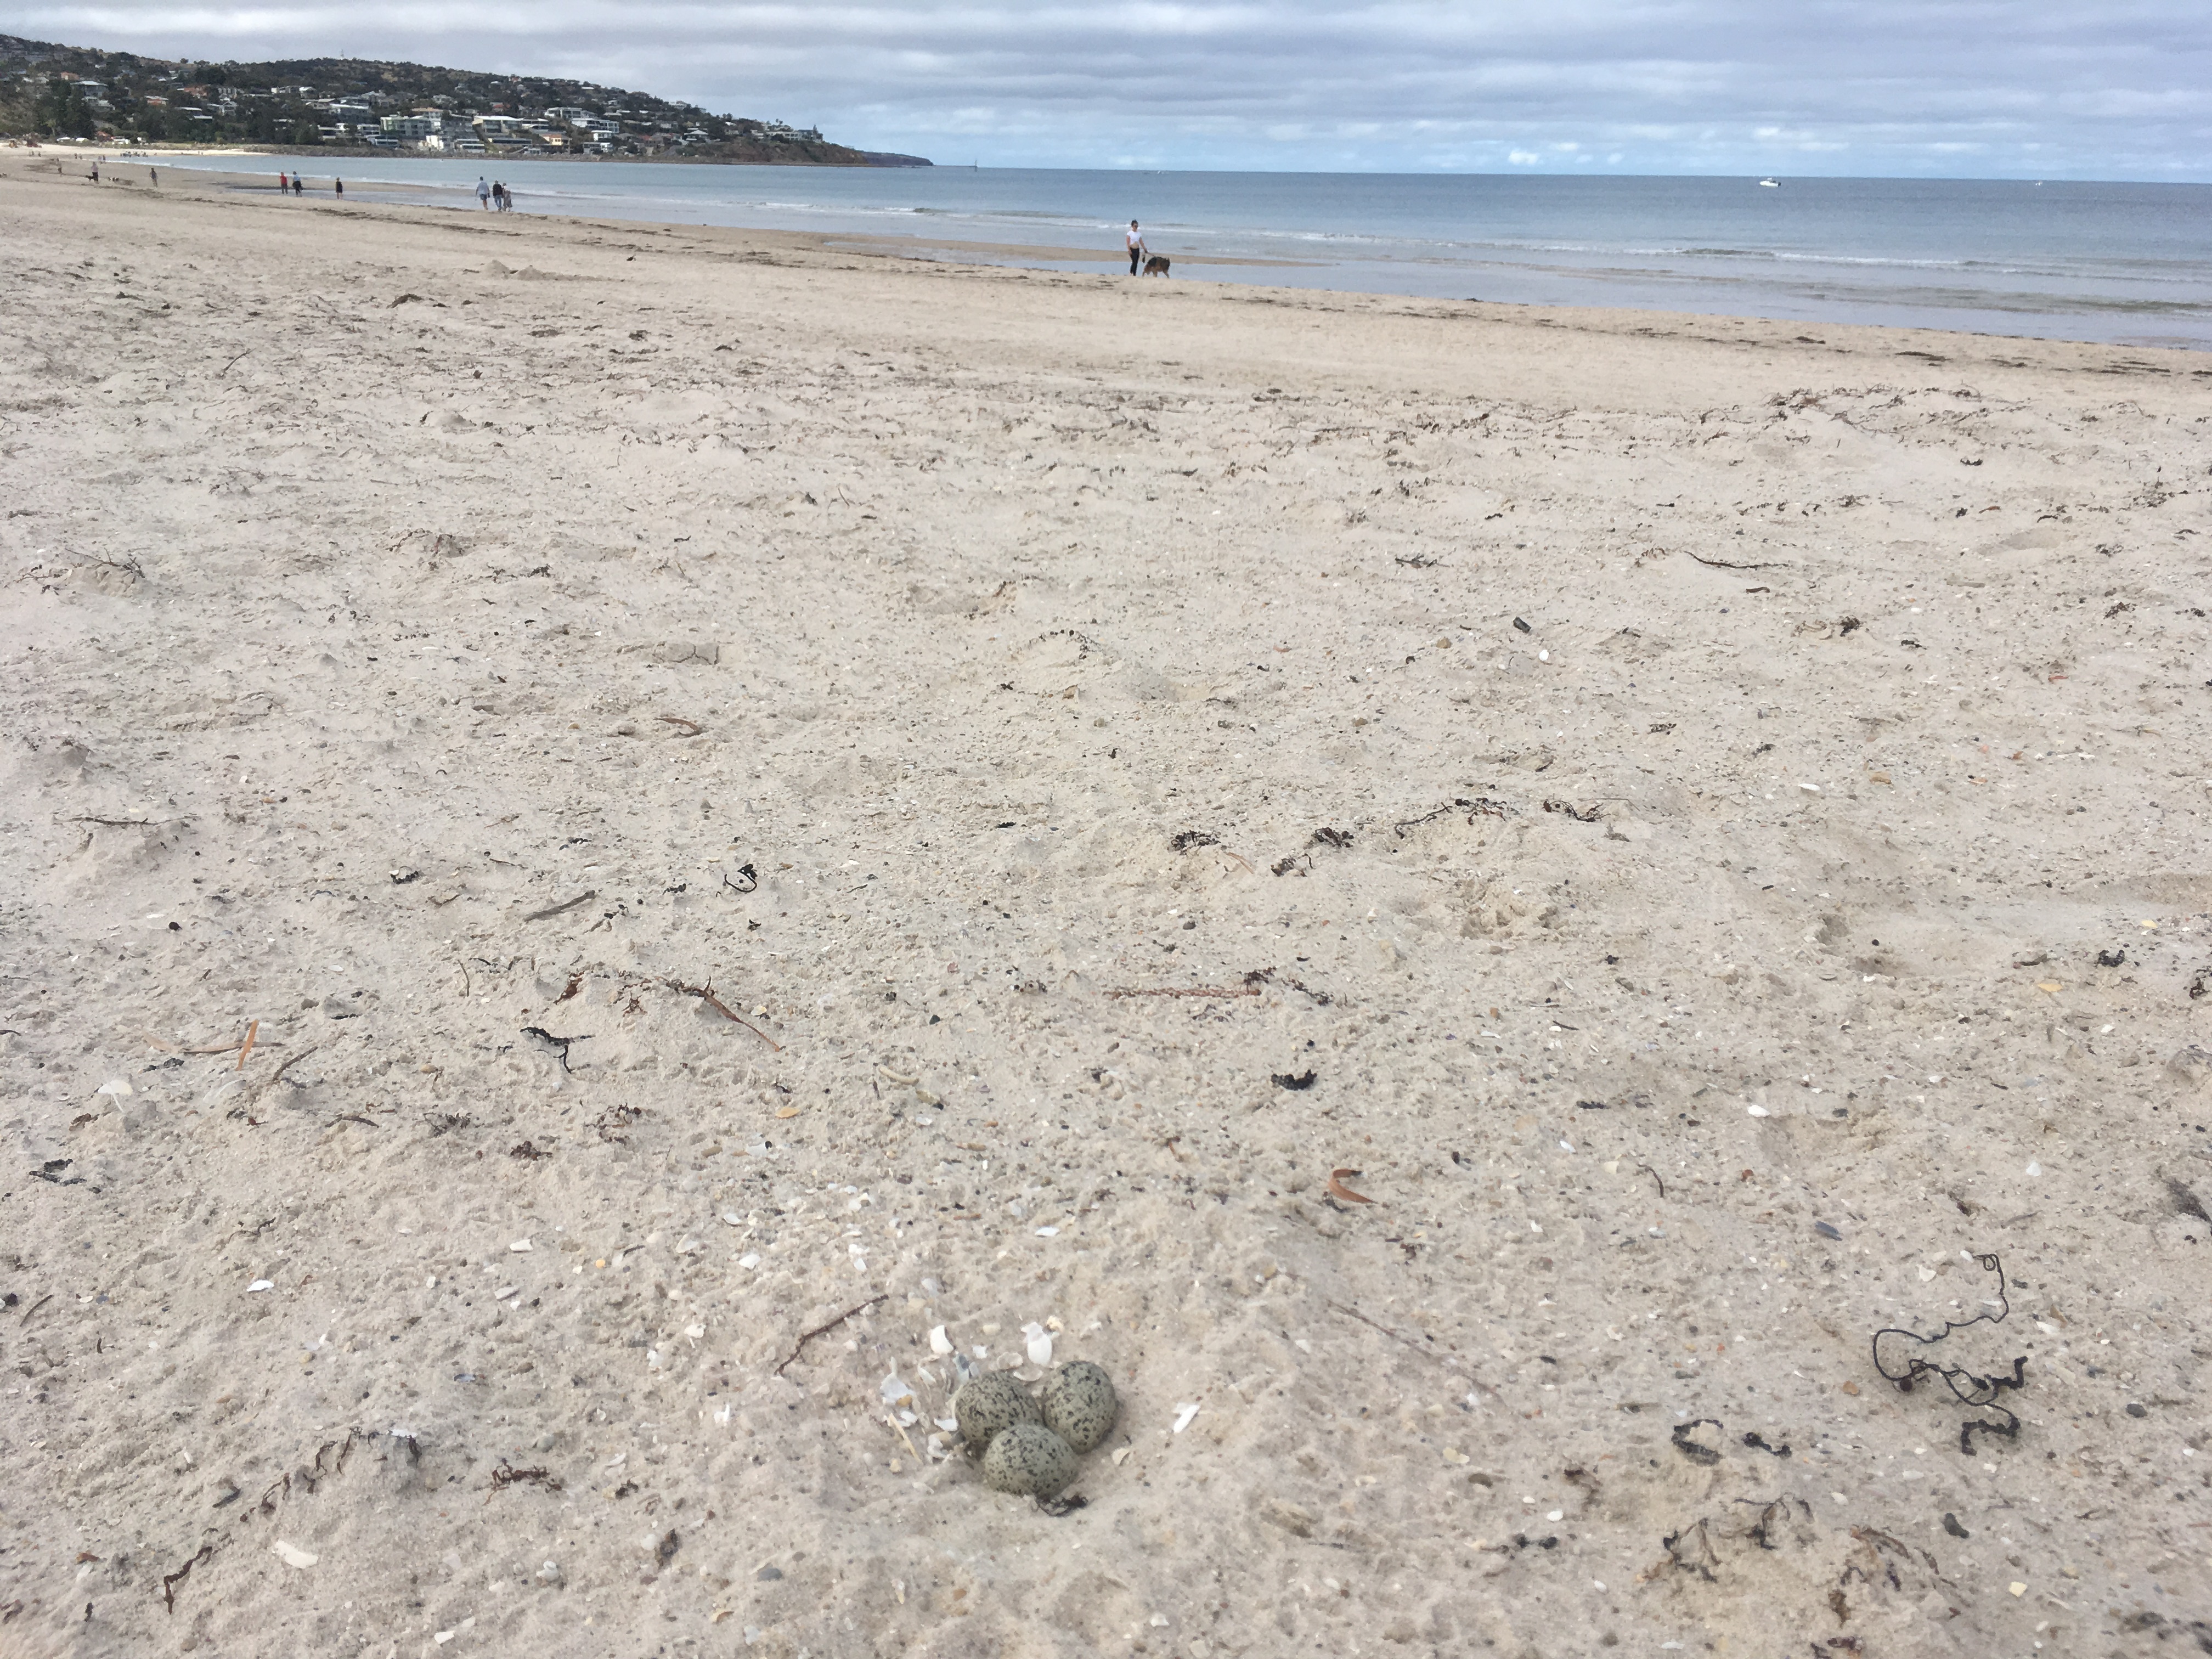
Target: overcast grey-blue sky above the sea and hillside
[(1872, 87)]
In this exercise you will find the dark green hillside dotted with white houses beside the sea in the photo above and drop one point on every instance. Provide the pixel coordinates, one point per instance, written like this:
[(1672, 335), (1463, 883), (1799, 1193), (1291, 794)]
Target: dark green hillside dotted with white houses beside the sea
[(81, 94)]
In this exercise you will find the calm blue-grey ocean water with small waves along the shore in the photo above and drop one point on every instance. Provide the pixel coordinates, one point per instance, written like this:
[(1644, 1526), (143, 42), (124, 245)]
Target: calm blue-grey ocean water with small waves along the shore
[(2063, 260)]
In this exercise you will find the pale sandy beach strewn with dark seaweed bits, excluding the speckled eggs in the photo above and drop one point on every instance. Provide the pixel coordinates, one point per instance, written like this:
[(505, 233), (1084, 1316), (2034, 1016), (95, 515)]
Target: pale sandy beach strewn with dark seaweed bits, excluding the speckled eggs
[(627, 844)]
